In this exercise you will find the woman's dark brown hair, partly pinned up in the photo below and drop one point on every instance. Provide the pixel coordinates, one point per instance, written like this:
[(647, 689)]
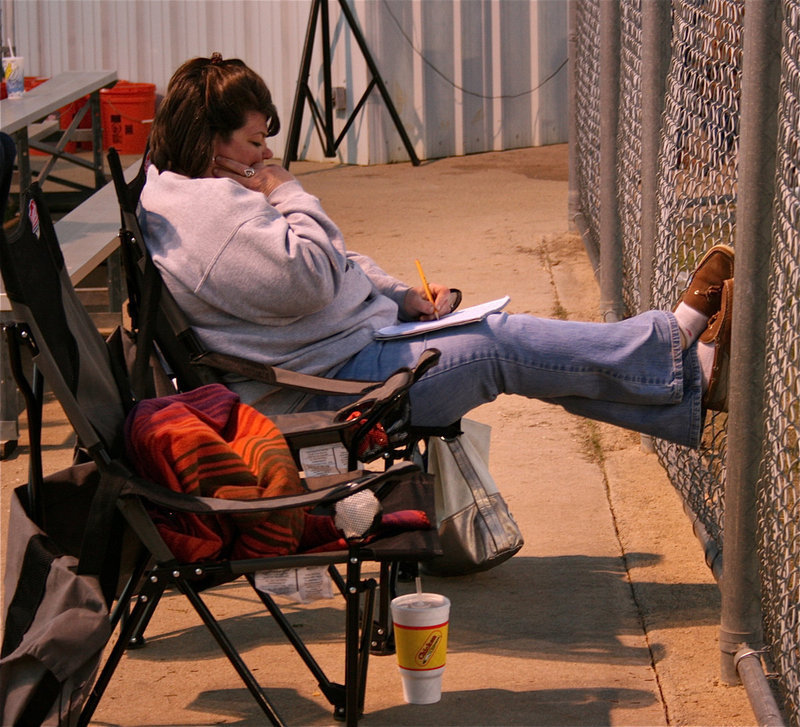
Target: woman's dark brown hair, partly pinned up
[(206, 97)]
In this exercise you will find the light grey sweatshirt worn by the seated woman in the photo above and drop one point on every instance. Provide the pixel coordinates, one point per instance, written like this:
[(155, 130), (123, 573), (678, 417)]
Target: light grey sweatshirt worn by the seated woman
[(266, 278)]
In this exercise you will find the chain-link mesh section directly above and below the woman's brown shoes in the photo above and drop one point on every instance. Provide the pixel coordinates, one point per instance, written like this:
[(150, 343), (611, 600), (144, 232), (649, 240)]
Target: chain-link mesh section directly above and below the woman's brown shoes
[(697, 204)]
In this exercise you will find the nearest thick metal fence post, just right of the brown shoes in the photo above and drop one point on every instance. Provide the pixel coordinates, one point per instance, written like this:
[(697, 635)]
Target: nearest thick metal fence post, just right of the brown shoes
[(741, 608)]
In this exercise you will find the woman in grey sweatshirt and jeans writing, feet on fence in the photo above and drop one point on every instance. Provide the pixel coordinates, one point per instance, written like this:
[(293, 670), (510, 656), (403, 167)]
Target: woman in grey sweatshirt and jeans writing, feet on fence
[(262, 272)]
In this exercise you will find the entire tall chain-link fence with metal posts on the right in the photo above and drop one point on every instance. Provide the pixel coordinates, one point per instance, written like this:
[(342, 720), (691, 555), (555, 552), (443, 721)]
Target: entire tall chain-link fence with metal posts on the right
[(679, 76)]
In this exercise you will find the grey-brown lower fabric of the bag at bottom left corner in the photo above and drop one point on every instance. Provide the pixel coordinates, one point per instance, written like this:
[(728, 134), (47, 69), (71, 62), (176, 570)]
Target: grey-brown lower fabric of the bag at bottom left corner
[(56, 625)]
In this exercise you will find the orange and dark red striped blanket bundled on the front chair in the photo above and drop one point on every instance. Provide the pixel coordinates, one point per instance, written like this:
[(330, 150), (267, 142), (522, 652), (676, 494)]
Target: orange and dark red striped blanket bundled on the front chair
[(206, 442)]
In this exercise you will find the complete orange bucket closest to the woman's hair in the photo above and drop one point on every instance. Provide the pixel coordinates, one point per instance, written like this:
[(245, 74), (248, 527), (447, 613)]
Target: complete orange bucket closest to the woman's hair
[(126, 112)]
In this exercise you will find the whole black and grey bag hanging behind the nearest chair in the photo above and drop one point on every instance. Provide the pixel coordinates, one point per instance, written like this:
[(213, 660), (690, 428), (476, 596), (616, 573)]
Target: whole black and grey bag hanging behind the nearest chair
[(56, 604)]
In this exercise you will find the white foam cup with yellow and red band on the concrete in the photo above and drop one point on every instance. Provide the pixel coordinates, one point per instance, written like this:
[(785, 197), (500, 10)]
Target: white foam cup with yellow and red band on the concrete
[(420, 634)]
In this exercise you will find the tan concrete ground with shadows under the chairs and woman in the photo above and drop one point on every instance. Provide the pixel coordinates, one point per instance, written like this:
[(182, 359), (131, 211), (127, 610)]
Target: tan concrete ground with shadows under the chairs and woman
[(607, 616)]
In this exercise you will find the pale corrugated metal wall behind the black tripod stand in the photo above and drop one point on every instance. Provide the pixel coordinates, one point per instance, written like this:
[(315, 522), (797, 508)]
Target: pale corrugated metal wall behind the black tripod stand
[(465, 75)]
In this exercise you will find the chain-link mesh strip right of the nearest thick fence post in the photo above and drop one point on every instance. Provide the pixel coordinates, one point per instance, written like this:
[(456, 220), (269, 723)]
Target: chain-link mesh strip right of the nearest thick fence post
[(779, 511)]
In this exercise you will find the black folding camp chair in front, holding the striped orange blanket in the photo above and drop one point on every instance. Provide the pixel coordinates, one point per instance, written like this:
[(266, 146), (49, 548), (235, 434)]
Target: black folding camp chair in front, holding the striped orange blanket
[(78, 365)]
